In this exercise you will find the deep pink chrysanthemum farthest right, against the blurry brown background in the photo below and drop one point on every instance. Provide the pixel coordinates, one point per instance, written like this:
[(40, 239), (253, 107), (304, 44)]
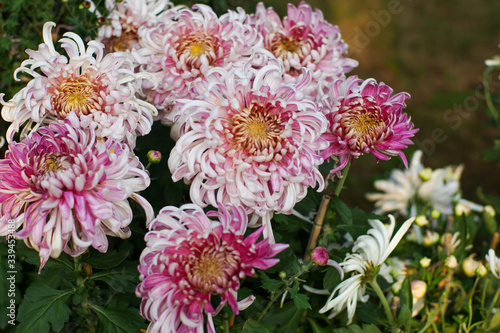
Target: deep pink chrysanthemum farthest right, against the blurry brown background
[(365, 118)]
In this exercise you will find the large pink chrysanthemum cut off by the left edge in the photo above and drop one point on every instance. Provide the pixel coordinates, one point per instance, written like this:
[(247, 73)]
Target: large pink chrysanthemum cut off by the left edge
[(68, 191)]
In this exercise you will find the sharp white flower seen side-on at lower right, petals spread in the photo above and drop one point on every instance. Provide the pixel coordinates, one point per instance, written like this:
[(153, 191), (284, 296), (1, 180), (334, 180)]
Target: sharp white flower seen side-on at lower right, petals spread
[(372, 250)]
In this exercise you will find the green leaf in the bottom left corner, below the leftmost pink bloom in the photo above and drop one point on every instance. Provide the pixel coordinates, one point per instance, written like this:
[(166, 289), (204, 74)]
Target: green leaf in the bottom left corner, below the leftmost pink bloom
[(43, 305)]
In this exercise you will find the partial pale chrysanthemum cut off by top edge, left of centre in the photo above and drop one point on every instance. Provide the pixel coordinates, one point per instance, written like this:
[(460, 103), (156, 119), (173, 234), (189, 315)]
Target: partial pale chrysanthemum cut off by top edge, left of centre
[(120, 31)]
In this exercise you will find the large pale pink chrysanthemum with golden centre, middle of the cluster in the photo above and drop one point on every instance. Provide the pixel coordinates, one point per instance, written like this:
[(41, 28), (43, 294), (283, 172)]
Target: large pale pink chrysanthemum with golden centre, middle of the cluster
[(252, 141)]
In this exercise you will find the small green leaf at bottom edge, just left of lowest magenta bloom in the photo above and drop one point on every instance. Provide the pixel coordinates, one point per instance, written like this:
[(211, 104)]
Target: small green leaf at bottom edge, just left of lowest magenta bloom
[(118, 319)]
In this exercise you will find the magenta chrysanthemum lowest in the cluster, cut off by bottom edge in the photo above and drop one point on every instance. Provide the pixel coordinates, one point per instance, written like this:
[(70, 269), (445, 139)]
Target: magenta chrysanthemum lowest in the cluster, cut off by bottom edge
[(189, 257)]
